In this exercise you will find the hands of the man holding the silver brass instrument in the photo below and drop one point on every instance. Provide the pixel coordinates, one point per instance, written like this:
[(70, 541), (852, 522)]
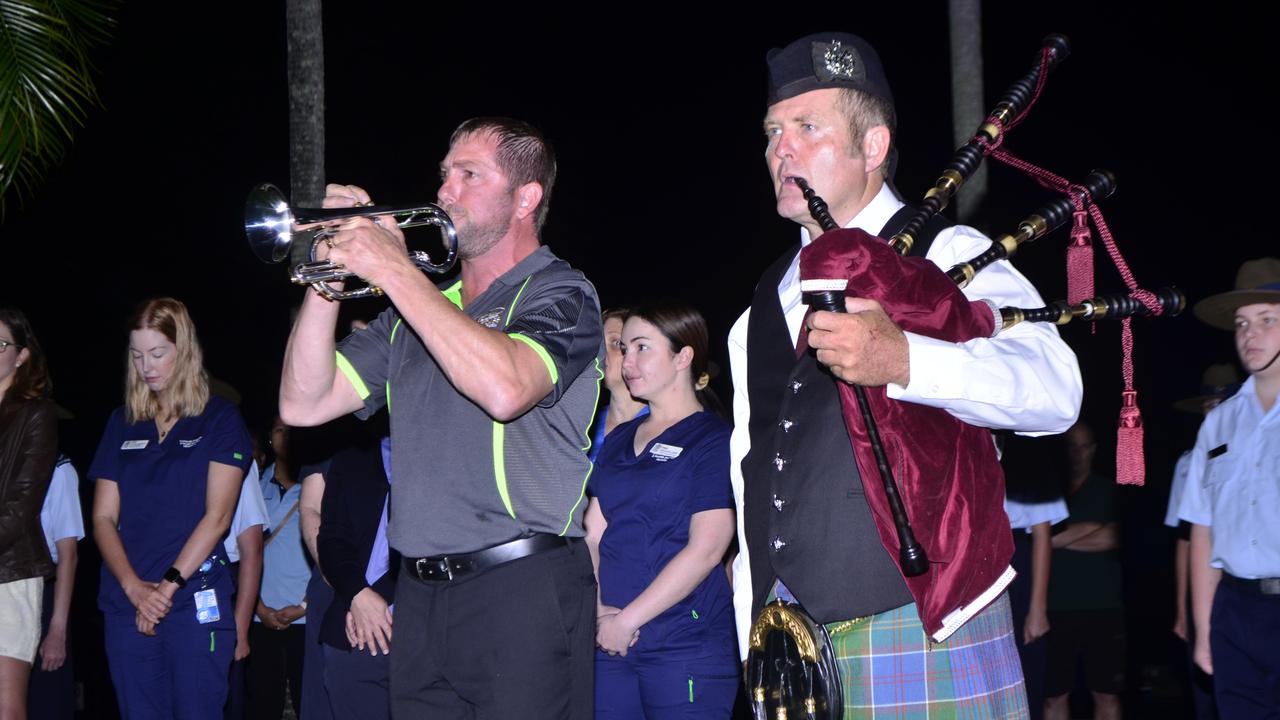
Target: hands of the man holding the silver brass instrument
[(372, 249)]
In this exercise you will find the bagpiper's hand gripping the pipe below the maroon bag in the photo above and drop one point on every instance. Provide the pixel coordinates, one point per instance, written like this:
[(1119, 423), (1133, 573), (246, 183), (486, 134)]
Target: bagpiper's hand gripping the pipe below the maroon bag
[(863, 347)]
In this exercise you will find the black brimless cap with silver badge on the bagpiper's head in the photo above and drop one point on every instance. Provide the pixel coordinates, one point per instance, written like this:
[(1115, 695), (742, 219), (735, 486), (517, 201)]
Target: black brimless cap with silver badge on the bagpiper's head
[(822, 61)]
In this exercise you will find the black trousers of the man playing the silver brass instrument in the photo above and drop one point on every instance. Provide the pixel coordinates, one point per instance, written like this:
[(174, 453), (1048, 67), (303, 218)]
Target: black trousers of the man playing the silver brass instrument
[(515, 641)]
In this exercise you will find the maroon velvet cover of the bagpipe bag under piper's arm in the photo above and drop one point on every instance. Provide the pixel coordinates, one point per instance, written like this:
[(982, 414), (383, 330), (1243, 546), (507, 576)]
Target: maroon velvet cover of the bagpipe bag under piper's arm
[(948, 473)]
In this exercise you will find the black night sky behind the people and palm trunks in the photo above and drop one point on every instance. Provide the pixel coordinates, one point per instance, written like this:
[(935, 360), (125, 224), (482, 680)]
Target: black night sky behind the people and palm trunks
[(656, 116)]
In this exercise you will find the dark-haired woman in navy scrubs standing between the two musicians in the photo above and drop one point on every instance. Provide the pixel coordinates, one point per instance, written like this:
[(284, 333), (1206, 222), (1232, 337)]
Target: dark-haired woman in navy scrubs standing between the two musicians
[(659, 525)]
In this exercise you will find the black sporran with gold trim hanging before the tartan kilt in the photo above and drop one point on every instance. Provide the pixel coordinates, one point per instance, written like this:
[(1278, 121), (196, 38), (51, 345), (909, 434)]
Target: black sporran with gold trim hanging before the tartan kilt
[(792, 667)]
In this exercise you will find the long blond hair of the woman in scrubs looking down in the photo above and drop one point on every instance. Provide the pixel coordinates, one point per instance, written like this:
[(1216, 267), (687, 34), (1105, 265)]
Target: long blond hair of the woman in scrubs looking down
[(189, 388)]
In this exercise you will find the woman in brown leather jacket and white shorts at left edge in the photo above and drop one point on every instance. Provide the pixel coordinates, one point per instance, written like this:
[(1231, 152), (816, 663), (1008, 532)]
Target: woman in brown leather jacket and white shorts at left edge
[(29, 448)]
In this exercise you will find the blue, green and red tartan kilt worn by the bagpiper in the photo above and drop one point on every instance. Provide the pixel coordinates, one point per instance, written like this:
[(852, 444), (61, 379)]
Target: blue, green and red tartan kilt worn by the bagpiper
[(889, 668)]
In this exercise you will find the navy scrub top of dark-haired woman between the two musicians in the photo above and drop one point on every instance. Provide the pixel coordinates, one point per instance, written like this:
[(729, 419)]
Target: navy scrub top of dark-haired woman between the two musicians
[(648, 502)]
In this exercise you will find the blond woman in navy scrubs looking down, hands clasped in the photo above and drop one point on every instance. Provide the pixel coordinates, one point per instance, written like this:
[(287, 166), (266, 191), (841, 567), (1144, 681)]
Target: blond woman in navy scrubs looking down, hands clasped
[(170, 471)]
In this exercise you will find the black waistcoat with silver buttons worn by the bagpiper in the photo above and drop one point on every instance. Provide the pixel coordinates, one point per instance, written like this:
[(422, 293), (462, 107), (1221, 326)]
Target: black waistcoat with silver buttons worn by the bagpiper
[(804, 512)]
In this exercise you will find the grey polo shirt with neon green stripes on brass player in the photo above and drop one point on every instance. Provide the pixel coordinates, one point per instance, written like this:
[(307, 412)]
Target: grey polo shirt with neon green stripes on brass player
[(463, 481)]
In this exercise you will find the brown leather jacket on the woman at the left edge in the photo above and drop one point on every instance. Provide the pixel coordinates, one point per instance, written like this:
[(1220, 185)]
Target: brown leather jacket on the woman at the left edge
[(29, 448)]
